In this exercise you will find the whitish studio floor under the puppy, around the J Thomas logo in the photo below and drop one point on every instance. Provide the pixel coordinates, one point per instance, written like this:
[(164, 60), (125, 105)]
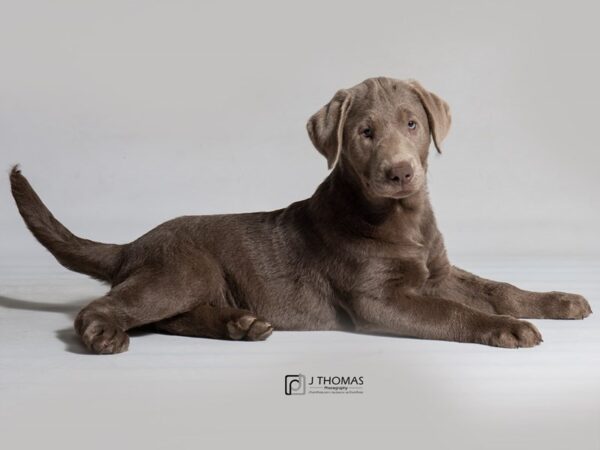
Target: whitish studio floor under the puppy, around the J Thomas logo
[(177, 392)]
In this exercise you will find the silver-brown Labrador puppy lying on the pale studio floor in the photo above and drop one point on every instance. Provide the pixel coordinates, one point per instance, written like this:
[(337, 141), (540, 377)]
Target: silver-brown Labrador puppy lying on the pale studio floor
[(362, 254)]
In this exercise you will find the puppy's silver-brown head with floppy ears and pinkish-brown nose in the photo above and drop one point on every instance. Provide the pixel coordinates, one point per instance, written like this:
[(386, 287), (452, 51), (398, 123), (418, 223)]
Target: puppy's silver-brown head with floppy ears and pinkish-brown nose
[(380, 130)]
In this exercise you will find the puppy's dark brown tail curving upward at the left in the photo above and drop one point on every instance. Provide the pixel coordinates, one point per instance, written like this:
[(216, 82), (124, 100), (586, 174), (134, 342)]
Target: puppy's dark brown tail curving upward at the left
[(96, 259)]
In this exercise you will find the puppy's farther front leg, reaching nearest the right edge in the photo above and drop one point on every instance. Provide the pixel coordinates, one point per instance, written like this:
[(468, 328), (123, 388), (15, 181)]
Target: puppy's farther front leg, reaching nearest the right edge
[(503, 298)]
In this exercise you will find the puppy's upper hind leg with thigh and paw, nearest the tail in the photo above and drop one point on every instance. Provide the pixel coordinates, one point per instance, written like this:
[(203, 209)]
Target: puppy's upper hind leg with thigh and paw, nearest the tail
[(146, 297)]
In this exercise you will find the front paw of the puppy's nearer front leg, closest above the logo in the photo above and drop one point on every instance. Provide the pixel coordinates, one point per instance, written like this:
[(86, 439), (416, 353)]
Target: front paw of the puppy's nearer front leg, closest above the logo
[(507, 332)]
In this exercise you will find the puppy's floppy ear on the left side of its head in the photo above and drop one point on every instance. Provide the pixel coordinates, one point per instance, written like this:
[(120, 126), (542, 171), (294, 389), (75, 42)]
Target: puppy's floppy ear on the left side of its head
[(326, 126)]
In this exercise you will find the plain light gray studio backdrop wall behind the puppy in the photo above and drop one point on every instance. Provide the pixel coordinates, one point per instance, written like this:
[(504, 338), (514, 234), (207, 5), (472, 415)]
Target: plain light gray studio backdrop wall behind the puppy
[(125, 114)]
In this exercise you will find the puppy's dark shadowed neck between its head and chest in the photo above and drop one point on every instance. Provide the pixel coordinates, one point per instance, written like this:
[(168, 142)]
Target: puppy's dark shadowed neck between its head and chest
[(341, 200)]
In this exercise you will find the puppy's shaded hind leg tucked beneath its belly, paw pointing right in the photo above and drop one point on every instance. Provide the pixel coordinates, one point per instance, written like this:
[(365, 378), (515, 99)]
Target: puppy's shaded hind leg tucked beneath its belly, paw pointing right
[(218, 323)]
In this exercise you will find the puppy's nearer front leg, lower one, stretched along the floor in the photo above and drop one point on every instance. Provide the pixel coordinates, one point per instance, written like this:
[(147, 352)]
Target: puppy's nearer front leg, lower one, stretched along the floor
[(437, 318)]
